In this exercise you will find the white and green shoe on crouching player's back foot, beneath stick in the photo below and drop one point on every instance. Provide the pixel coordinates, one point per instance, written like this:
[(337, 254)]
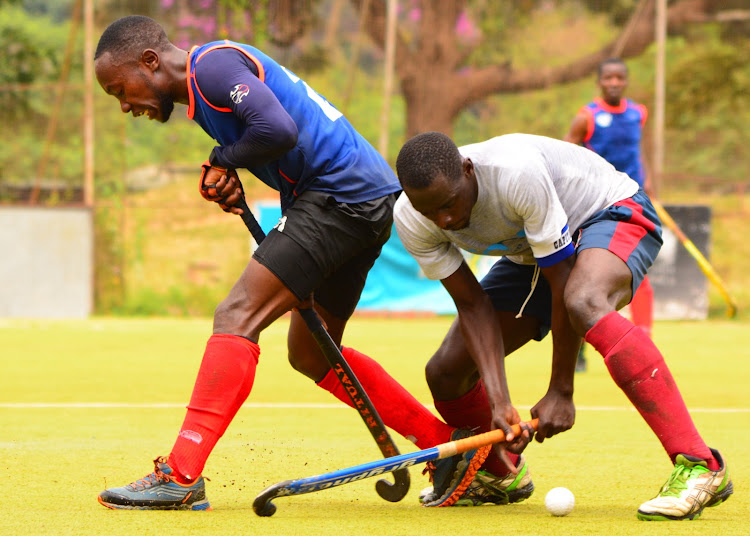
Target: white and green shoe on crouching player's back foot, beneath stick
[(486, 488)]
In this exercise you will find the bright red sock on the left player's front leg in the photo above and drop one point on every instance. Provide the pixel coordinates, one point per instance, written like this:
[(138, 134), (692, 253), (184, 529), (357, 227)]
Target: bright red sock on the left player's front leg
[(225, 379)]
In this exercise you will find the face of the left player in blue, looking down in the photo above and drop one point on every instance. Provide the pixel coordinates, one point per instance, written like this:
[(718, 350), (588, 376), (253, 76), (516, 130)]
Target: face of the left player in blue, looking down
[(135, 87)]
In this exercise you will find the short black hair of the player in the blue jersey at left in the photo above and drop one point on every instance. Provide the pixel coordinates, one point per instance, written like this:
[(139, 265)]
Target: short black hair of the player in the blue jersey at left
[(127, 38)]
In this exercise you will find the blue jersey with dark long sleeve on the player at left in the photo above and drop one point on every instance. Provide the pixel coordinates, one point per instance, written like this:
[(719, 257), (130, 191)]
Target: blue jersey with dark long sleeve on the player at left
[(241, 98)]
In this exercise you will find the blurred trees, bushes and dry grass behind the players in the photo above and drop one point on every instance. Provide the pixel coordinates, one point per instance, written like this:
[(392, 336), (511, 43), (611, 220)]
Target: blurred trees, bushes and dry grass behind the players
[(500, 67)]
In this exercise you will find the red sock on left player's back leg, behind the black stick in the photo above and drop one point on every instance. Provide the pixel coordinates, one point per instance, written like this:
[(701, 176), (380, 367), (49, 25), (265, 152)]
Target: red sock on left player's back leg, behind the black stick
[(396, 406)]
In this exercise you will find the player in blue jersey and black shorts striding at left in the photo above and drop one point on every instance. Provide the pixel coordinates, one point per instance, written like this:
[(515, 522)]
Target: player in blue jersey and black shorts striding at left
[(337, 196)]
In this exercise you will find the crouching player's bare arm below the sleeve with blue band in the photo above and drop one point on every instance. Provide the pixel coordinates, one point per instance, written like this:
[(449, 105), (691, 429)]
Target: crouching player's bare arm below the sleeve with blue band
[(556, 410)]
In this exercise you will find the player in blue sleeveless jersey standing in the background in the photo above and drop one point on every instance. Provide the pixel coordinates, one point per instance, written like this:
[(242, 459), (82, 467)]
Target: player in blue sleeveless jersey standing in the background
[(612, 126)]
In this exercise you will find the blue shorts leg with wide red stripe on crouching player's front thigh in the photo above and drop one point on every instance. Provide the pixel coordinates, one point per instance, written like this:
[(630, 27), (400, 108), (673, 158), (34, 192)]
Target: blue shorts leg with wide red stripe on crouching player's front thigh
[(630, 229)]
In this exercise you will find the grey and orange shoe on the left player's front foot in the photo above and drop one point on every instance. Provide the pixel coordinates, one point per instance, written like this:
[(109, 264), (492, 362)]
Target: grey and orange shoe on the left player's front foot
[(157, 491)]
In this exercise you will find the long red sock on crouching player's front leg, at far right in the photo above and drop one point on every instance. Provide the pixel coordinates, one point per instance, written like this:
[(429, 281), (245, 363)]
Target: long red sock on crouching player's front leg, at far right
[(638, 368)]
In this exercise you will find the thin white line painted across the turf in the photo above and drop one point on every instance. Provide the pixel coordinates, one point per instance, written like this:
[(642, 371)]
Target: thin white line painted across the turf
[(286, 405)]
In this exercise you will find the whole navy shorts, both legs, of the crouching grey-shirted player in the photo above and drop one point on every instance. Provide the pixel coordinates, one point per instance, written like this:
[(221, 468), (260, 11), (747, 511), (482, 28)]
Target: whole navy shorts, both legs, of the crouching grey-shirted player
[(629, 228)]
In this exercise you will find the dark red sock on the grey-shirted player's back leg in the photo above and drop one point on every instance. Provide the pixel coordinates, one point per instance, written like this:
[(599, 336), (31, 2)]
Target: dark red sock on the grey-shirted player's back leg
[(472, 410)]
